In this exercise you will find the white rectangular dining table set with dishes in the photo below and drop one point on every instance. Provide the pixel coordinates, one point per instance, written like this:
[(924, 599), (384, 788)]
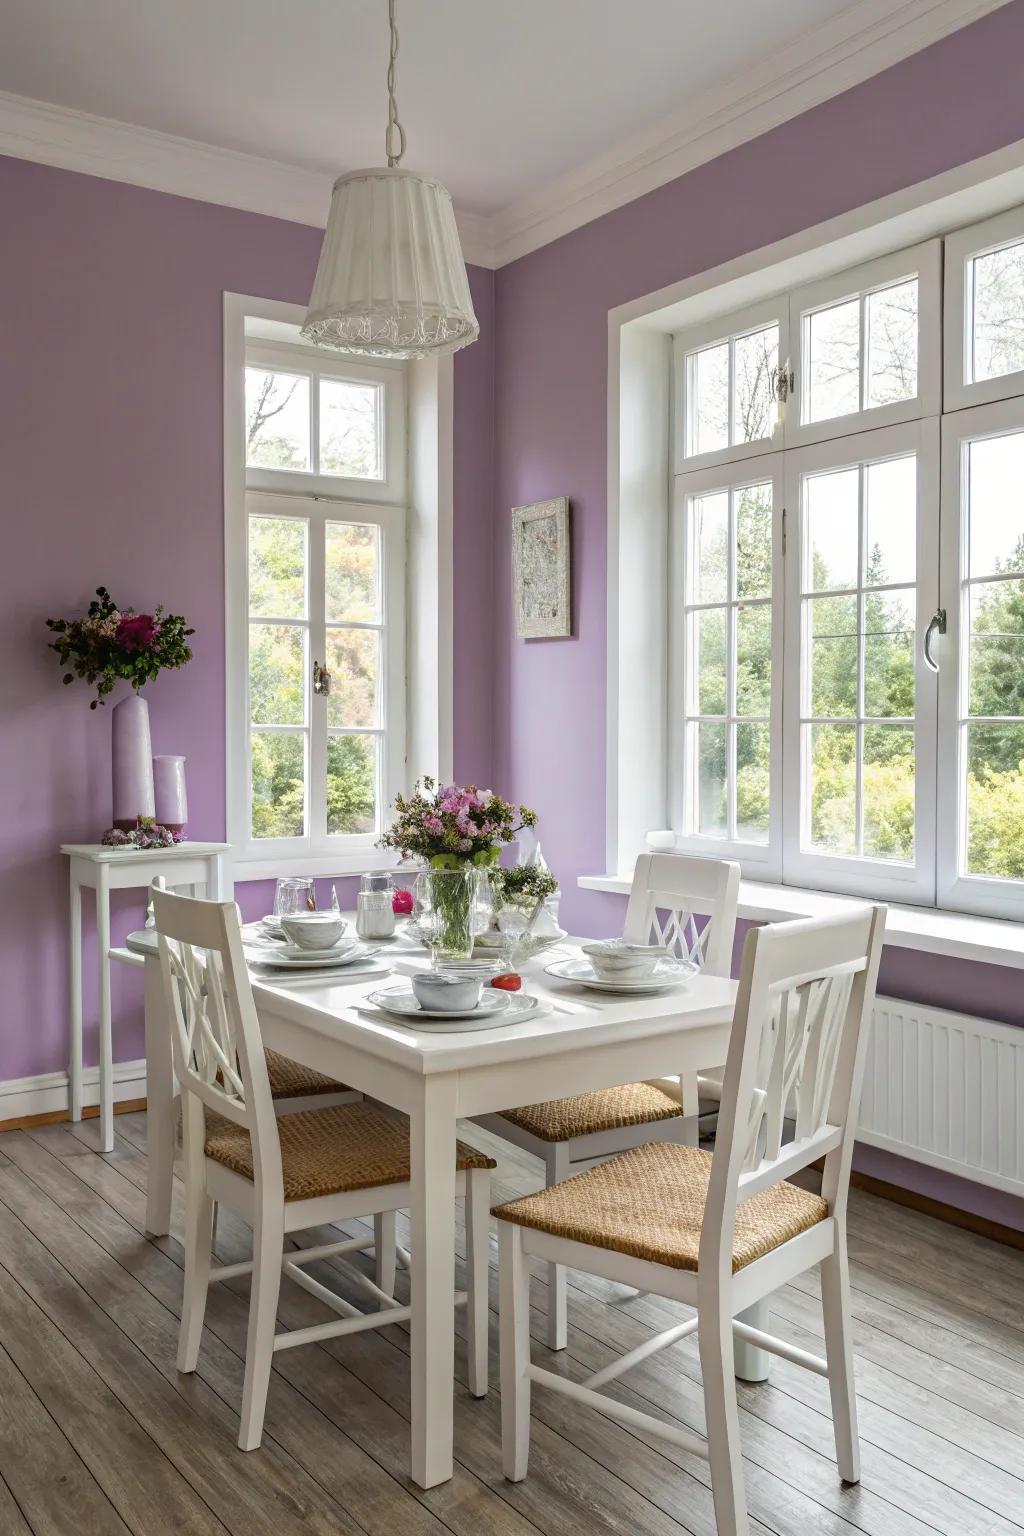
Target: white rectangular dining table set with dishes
[(583, 1041)]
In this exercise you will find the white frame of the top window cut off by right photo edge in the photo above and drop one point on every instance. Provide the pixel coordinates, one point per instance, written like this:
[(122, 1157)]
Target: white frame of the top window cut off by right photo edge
[(962, 248)]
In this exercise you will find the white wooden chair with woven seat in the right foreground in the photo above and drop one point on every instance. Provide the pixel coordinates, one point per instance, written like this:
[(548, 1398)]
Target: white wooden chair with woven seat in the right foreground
[(722, 1233)]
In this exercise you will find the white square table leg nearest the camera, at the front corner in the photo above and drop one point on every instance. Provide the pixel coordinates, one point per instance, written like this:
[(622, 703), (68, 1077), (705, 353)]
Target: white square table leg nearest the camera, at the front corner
[(432, 1279)]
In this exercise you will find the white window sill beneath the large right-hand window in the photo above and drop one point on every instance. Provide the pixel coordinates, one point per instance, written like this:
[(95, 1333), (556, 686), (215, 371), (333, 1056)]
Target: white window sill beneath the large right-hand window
[(989, 941)]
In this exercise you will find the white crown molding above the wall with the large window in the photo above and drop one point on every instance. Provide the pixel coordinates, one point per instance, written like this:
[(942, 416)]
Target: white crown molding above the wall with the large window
[(865, 39)]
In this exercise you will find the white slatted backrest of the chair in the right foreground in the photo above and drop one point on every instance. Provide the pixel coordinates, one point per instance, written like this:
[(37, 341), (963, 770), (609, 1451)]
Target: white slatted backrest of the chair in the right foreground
[(801, 1031)]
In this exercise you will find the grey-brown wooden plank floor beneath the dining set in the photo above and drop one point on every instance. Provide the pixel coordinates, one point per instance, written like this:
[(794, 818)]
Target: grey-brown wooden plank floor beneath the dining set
[(101, 1435)]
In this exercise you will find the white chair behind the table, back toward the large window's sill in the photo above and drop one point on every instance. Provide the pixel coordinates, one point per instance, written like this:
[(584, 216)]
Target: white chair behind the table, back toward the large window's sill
[(669, 895)]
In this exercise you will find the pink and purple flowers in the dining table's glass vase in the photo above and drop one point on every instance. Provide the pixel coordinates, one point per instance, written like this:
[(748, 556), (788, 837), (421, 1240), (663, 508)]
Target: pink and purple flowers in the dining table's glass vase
[(452, 827)]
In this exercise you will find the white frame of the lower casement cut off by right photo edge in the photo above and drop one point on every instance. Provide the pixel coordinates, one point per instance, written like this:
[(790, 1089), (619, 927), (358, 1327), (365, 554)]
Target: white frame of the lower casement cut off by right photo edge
[(989, 896)]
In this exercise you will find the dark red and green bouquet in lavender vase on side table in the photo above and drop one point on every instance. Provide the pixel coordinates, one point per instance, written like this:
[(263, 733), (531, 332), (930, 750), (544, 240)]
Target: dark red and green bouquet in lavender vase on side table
[(113, 644)]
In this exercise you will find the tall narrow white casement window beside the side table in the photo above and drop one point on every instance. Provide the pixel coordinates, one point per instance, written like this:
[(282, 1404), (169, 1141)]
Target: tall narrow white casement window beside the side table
[(319, 626)]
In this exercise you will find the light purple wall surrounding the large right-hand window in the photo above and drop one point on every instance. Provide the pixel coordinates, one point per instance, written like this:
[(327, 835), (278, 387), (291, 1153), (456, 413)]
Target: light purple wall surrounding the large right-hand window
[(937, 110)]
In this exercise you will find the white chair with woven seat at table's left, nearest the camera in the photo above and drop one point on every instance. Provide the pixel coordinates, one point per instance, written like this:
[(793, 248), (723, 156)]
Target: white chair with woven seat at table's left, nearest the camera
[(283, 1176)]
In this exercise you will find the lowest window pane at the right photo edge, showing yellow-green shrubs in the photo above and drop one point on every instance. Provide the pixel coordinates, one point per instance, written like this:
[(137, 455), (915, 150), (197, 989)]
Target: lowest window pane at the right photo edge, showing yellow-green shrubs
[(996, 801)]
